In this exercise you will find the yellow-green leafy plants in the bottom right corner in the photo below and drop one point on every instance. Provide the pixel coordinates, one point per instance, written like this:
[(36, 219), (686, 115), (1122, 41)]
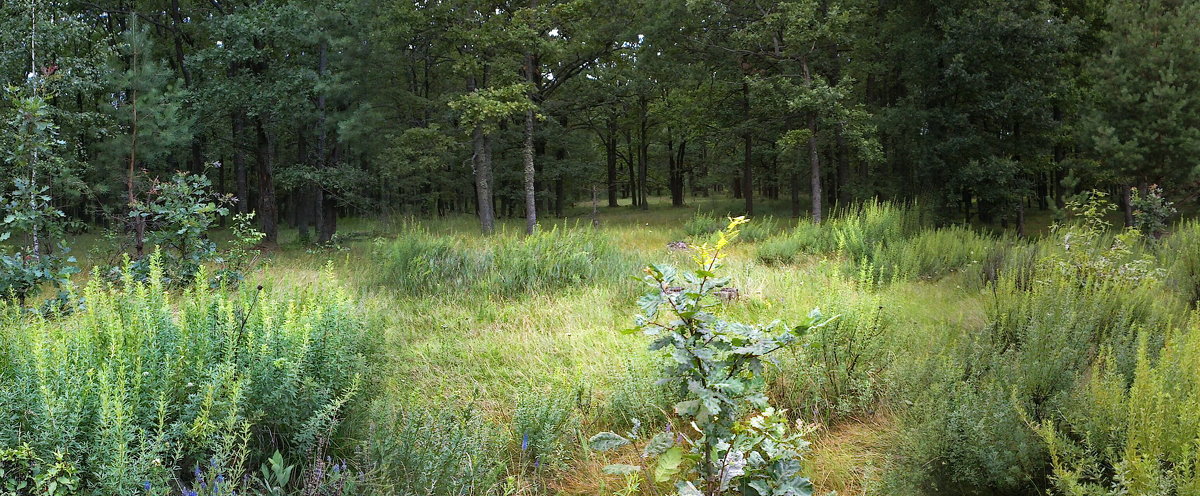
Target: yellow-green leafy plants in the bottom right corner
[(1137, 438)]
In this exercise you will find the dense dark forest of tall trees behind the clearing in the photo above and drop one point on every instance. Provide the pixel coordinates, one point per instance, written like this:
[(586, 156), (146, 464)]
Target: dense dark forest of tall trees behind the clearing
[(305, 111)]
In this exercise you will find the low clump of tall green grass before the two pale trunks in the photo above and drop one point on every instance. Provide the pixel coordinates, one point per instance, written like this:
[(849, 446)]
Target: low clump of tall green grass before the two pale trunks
[(421, 262)]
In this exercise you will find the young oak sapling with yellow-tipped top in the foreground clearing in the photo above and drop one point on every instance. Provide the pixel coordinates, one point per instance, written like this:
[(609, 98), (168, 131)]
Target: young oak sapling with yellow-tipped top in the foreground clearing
[(734, 449)]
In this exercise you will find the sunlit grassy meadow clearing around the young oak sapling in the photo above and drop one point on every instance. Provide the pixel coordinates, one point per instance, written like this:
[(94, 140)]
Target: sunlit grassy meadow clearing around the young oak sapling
[(958, 361)]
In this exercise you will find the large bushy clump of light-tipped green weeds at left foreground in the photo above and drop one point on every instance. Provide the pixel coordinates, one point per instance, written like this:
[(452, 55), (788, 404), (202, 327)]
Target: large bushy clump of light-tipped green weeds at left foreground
[(134, 390)]
